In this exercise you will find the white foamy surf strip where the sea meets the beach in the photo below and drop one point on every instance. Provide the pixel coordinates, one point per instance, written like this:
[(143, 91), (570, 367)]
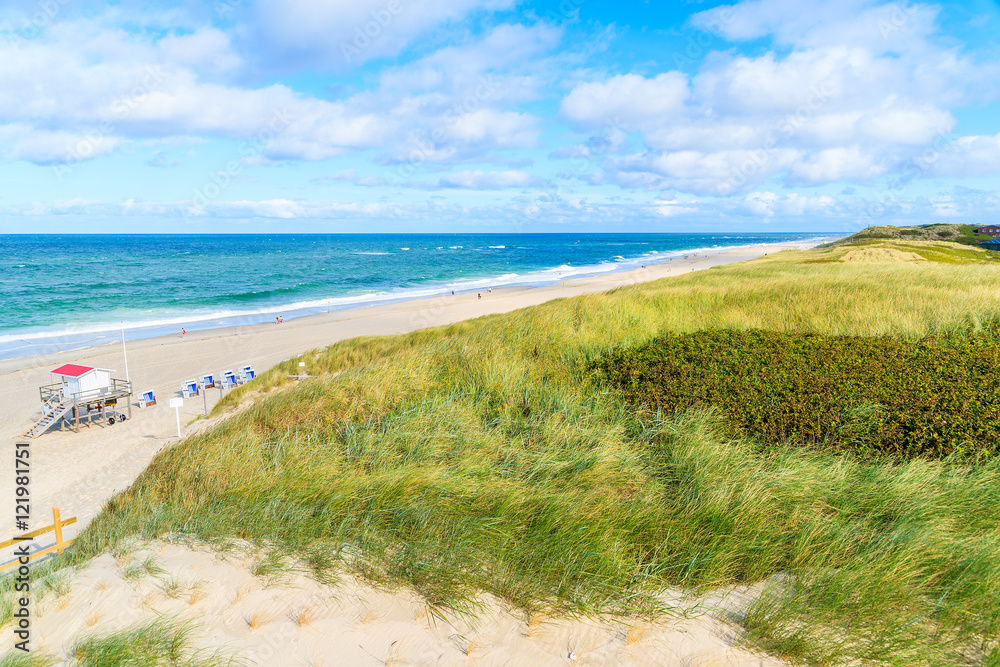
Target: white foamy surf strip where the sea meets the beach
[(83, 337)]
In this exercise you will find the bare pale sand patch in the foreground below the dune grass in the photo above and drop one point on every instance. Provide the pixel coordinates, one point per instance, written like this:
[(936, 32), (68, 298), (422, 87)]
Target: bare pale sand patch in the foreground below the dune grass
[(294, 620)]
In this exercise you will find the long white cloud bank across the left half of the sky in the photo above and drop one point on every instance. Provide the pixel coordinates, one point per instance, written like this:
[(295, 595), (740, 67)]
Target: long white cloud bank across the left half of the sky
[(125, 87)]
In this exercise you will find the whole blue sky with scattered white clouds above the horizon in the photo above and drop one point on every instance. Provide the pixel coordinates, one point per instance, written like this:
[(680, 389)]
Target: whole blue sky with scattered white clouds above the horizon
[(496, 115)]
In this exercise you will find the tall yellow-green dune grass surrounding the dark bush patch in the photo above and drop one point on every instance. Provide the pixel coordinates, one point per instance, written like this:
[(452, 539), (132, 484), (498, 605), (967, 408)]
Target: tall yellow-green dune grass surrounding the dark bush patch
[(476, 457)]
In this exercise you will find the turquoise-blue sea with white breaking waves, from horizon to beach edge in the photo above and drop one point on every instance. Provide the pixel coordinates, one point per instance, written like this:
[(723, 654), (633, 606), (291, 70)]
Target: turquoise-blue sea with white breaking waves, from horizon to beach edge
[(60, 292)]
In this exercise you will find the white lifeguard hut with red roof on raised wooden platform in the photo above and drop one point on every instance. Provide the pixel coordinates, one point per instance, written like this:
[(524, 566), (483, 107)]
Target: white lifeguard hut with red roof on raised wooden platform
[(82, 391)]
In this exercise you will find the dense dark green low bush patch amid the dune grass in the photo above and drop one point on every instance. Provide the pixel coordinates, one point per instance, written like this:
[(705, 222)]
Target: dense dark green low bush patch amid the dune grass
[(932, 397)]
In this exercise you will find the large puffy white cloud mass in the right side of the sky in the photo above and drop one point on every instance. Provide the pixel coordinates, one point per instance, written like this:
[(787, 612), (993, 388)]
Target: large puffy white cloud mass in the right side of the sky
[(845, 103)]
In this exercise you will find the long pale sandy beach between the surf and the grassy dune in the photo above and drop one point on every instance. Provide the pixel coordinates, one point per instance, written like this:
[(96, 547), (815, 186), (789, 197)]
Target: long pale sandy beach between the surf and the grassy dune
[(80, 472)]
